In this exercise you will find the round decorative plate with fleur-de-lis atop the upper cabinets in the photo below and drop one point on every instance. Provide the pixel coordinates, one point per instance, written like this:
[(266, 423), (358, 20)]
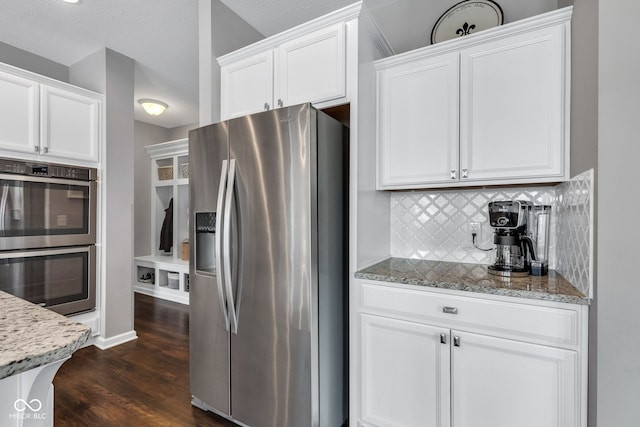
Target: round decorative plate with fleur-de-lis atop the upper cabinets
[(467, 17)]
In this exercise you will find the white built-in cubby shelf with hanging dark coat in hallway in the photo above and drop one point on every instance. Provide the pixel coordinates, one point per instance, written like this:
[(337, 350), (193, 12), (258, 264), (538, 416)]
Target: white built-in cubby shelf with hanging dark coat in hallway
[(164, 273)]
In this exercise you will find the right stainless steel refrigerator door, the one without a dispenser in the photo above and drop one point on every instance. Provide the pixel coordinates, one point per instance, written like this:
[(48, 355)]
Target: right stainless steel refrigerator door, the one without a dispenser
[(271, 354)]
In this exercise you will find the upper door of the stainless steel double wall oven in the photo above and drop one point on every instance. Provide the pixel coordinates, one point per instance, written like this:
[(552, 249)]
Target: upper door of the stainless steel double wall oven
[(38, 212)]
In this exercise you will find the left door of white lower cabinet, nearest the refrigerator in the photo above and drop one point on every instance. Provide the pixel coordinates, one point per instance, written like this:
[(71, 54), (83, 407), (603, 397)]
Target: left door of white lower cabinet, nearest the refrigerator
[(404, 373)]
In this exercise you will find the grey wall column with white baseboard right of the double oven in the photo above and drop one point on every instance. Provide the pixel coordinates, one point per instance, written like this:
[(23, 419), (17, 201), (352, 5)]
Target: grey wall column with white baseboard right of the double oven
[(111, 74)]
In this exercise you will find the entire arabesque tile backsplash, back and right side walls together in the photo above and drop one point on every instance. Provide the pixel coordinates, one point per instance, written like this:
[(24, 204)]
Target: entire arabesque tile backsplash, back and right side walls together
[(433, 225)]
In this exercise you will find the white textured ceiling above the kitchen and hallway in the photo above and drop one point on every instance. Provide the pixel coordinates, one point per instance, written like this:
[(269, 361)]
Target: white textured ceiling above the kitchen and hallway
[(162, 35)]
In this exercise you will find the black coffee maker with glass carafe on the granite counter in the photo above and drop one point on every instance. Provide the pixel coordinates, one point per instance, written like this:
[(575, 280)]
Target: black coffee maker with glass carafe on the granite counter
[(521, 237)]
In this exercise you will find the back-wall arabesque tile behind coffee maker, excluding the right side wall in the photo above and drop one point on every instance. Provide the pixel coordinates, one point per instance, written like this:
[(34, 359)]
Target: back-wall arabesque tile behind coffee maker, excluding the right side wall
[(433, 225)]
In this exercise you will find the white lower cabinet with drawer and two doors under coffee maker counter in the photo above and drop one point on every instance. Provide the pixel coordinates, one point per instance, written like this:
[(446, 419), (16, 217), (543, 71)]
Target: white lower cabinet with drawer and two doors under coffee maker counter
[(426, 359)]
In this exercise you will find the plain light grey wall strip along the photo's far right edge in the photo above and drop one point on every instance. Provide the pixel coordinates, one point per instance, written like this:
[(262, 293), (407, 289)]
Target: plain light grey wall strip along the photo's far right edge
[(618, 376)]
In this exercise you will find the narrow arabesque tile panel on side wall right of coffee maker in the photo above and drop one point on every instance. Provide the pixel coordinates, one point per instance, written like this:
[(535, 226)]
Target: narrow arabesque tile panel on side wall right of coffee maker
[(575, 231)]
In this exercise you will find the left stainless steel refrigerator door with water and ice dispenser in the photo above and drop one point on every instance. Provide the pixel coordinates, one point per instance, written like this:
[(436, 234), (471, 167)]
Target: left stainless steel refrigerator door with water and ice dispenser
[(209, 341)]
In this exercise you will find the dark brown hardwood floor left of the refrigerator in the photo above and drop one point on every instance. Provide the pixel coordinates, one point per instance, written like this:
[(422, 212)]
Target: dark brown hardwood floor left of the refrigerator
[(141, 383)]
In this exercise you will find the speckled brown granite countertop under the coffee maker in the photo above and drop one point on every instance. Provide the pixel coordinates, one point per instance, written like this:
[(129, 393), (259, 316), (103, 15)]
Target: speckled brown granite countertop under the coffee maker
[(472, 278)]
